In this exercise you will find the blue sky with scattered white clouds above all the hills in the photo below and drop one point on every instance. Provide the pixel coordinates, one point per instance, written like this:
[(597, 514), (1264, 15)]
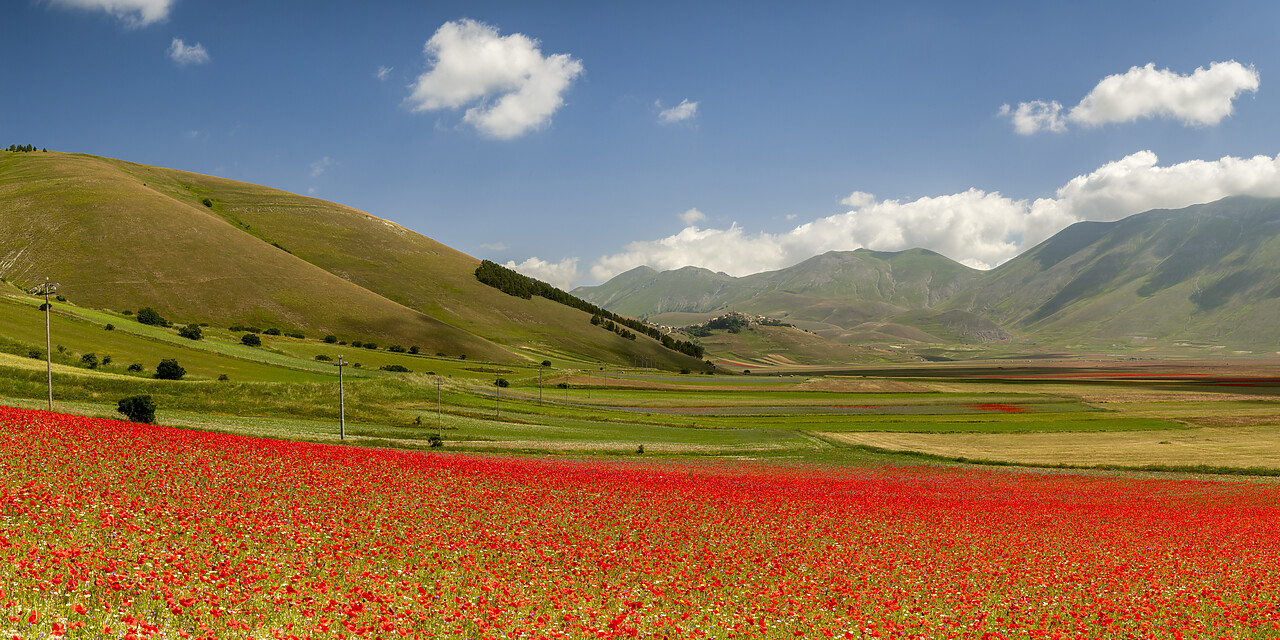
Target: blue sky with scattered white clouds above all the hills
[(533, 134)]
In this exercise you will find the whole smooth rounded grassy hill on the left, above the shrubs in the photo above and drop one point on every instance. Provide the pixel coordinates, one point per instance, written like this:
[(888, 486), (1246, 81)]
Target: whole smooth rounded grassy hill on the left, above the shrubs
[(207, 250)]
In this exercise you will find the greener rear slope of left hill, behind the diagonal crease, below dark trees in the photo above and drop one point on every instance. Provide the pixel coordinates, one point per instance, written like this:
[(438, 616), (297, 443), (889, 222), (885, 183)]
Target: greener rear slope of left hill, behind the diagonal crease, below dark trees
[(404, 267)]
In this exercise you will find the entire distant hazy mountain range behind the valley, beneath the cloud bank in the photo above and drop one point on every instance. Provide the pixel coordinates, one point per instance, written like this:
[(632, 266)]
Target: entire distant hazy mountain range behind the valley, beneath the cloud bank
[(1206, 275)]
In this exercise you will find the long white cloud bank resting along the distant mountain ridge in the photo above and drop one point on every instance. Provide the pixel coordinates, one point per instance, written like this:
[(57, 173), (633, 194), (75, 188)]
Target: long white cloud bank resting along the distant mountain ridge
[(979, 228)]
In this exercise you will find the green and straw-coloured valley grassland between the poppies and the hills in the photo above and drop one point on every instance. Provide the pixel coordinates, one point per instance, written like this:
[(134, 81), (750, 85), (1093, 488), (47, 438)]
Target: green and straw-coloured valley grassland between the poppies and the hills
[(580, 408)]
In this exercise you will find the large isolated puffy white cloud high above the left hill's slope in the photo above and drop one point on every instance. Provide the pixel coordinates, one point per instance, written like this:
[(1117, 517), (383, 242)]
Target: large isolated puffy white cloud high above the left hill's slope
[(514, 89)]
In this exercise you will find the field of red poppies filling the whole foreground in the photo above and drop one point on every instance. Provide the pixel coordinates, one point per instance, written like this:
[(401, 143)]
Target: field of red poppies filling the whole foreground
[(118, 531)]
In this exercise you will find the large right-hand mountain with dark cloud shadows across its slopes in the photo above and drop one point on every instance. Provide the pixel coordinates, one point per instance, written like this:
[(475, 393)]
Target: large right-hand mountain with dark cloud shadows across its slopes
[(1204, 275)]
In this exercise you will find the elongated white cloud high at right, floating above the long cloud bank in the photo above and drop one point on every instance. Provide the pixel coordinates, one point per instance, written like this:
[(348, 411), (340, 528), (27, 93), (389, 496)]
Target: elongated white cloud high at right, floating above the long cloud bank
[(1201, 99)]
